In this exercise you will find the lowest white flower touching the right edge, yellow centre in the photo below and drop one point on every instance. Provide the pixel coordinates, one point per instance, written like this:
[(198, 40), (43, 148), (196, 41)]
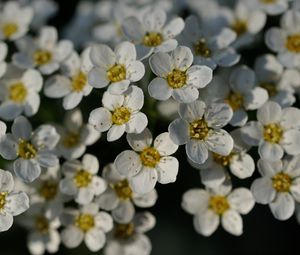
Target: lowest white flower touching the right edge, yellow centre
[(279, 186)]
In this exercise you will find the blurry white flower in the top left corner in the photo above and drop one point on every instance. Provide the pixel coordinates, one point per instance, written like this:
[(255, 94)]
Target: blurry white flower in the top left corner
[(14, 20)]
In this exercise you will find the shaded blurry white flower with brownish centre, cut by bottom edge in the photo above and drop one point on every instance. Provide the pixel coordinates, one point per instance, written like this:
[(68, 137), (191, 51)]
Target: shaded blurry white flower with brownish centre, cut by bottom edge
[(129, 239)]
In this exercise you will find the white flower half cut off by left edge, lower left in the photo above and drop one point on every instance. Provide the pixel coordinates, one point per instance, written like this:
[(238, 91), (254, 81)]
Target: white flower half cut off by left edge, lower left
[(12, 203)]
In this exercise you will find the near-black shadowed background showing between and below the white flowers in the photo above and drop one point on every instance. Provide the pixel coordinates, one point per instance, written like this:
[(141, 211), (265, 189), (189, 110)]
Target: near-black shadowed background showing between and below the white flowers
[(174, 233)]
